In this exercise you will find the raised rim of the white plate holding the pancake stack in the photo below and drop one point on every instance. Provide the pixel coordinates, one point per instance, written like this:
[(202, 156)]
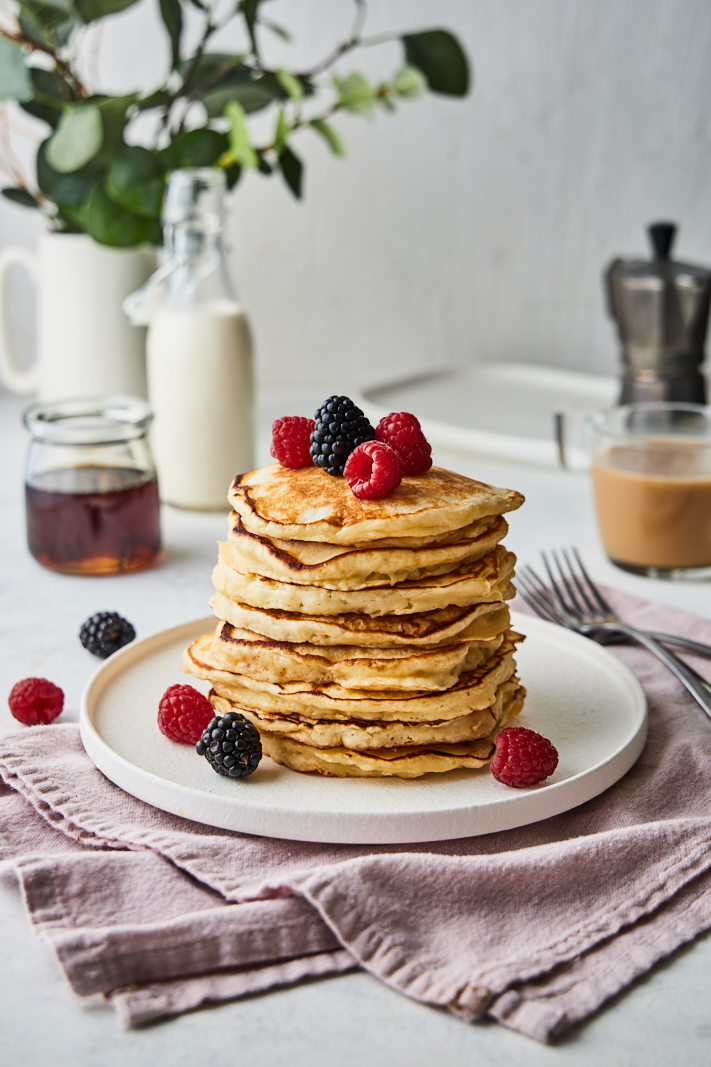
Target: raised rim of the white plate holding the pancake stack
[(419, 824)]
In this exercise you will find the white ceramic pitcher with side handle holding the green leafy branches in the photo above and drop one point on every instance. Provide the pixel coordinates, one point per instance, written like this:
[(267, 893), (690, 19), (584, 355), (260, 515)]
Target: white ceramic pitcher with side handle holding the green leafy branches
[(86, 345)]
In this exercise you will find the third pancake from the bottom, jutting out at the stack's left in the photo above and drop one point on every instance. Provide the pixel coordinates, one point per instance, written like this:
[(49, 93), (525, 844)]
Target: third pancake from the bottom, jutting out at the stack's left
[(473, 692)]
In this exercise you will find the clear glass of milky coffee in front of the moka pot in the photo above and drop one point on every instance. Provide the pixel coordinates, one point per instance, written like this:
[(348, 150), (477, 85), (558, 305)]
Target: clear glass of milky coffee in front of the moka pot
[(652, 477)]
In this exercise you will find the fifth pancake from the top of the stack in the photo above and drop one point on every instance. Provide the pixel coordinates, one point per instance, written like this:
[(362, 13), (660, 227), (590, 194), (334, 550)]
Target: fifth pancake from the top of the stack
[(244, 652)]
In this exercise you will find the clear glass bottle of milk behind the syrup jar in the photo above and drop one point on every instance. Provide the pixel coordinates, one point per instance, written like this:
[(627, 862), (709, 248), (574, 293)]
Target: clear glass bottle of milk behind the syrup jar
[(199, 352)]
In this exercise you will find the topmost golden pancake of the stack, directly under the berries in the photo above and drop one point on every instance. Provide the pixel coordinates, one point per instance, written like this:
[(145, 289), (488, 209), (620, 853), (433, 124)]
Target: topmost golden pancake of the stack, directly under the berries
[(310, 505)]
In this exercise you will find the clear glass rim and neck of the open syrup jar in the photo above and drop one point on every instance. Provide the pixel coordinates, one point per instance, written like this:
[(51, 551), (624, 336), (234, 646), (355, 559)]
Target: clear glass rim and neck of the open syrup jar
[(89, 421)]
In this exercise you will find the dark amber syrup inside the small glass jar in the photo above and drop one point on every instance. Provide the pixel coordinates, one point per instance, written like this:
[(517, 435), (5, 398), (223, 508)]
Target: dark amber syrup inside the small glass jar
[(93, 520)]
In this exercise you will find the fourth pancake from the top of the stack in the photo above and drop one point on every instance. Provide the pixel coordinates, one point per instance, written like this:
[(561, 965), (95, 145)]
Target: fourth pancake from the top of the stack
[(423, 629)]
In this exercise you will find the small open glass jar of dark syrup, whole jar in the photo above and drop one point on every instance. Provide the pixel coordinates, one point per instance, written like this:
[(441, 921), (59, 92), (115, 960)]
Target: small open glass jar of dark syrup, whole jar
[(91, 489)]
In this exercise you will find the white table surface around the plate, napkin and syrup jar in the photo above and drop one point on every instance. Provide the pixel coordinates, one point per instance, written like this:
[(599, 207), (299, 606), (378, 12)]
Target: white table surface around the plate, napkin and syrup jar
[(663, 1020)]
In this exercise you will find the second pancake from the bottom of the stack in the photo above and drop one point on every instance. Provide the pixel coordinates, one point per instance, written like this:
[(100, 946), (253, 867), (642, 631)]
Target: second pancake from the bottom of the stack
[(360, 736)]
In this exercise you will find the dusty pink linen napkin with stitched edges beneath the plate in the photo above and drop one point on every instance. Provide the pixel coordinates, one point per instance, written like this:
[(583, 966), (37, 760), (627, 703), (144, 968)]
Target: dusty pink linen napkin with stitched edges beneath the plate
[(535, 928)]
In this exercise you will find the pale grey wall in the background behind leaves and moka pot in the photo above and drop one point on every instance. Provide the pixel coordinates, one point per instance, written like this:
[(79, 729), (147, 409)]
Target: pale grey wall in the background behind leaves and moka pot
[(461, 231)]
